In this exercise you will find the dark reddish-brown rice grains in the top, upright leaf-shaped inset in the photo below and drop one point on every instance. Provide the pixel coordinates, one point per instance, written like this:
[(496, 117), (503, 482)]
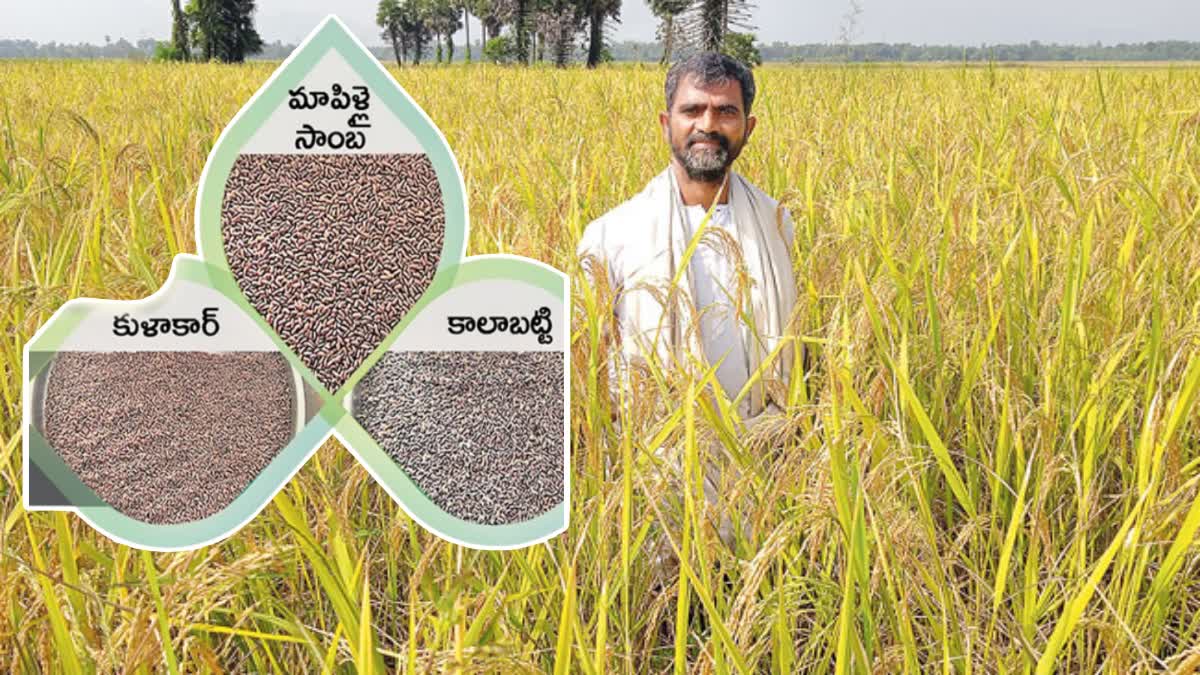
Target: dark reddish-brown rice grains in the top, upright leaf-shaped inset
[(333, 250)]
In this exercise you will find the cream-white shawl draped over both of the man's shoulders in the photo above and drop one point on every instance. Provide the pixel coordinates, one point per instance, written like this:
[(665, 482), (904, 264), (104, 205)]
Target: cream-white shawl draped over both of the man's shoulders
[(643, 243)]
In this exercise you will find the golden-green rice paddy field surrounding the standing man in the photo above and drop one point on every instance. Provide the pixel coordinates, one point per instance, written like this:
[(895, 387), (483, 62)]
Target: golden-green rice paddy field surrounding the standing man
[(993, 465)]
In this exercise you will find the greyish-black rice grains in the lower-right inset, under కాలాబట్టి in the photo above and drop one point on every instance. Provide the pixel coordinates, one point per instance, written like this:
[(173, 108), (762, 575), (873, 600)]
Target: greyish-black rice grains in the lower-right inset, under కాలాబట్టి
[(479, 433)]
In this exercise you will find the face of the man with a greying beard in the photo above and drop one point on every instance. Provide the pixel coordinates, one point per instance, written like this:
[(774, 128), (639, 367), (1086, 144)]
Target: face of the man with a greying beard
[(707, 127)]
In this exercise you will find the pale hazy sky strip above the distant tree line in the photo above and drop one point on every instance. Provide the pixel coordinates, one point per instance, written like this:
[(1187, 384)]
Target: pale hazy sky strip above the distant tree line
[(932, 22)]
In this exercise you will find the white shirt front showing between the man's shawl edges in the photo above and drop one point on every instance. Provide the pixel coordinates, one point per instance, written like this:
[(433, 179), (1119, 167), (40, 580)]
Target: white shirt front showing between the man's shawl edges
[(715, 279)]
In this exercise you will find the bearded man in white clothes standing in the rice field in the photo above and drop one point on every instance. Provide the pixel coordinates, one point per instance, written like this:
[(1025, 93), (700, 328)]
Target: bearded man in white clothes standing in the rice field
[(739, 282)]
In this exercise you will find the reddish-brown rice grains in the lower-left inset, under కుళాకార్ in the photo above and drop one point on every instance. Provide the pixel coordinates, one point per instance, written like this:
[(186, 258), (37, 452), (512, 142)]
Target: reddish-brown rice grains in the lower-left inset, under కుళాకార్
[(169, 438)]
